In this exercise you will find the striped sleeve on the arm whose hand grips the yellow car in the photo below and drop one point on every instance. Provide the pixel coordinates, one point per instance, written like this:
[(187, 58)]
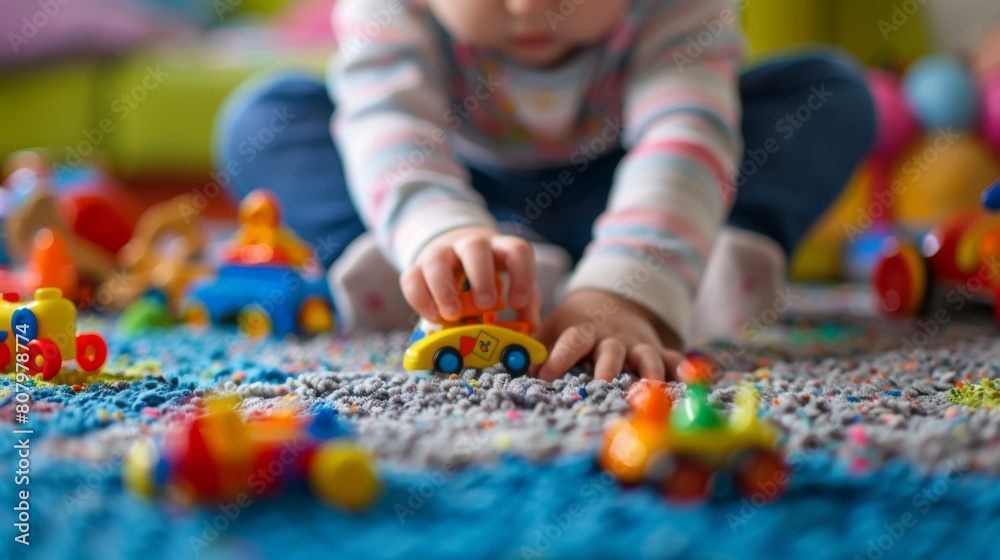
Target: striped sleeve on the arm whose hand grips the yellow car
[(388, 83)]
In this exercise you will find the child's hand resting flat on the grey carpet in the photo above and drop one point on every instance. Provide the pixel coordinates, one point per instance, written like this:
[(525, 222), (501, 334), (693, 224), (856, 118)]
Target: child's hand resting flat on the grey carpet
[(617, 333)]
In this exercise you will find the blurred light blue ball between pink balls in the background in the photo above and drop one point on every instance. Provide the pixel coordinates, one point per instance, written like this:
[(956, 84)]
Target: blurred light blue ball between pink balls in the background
[(942, 93)]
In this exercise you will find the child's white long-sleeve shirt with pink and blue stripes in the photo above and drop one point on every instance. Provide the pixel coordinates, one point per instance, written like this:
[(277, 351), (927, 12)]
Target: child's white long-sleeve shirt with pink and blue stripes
[(412, 101)]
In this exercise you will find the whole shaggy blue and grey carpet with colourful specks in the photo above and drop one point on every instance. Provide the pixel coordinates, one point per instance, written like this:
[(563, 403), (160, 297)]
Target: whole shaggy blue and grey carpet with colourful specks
[(891, 456)]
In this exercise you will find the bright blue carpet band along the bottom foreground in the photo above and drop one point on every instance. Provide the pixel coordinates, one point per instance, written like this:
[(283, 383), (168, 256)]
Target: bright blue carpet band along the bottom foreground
[(517, 510)]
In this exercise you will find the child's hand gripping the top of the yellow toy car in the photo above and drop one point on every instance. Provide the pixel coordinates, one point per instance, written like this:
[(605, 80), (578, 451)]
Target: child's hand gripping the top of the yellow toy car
[(429, 286)]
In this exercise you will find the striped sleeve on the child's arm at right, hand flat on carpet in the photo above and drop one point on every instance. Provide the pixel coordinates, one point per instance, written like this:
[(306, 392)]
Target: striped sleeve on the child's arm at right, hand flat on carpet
[(674, 187)]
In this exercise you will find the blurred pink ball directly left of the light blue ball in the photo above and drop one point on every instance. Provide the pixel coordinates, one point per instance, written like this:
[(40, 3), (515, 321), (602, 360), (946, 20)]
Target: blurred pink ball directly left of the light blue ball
[(897, 124)]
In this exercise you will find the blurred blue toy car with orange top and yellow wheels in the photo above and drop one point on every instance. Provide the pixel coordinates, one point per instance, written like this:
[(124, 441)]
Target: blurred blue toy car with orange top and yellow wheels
[(269, 283)]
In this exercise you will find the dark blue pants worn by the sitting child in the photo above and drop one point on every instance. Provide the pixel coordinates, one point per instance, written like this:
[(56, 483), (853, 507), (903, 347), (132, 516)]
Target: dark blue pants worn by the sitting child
[(807, 122)]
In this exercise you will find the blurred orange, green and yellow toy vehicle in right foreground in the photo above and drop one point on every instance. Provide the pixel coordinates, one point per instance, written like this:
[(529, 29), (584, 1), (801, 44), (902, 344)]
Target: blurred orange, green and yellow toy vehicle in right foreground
[(683, 448)]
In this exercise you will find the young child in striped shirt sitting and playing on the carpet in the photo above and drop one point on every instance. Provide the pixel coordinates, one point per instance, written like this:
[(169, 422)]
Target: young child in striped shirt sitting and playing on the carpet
[(518, 135)]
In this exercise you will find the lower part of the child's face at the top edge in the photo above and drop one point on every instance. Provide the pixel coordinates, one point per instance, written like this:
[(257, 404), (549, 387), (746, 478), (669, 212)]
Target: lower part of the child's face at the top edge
[(532, 32)]
